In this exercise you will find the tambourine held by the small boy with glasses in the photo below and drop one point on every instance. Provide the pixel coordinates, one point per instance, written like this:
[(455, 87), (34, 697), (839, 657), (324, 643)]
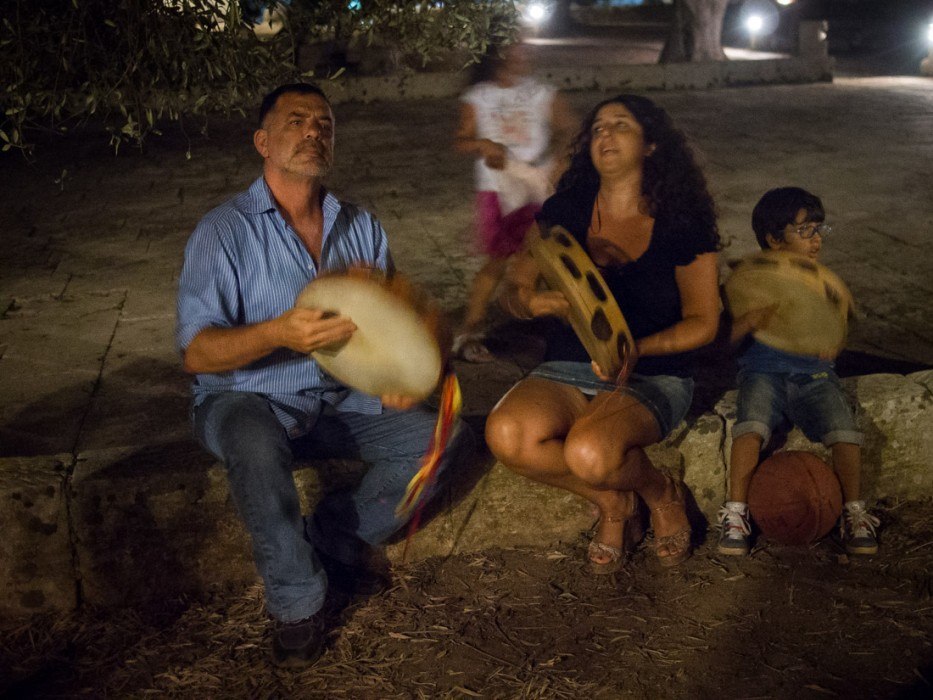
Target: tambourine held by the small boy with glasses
[(813, 304)]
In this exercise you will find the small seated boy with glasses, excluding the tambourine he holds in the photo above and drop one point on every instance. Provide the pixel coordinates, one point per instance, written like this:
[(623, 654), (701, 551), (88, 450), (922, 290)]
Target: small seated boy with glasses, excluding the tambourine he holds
[(774, 385)]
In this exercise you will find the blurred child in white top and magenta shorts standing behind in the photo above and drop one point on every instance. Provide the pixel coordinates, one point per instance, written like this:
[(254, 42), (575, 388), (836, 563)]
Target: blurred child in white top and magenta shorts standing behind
[(515, 126)]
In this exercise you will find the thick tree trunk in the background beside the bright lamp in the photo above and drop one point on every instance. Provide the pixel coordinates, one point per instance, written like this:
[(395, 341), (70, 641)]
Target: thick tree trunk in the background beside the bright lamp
[(696, 32)]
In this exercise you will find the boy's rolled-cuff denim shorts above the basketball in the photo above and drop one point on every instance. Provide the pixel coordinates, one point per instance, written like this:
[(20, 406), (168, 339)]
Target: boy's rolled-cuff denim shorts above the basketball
[(814, 403)]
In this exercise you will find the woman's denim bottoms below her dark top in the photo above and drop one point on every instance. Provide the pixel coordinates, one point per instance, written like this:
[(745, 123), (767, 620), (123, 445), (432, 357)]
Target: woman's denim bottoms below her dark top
[(667, 397)]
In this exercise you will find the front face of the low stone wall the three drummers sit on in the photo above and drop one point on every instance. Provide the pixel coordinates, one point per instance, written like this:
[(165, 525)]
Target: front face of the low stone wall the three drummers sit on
[(155, 522)]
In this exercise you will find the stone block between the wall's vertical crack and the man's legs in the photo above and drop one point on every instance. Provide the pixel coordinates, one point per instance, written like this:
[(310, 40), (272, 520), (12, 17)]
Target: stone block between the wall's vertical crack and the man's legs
[(153, 522)]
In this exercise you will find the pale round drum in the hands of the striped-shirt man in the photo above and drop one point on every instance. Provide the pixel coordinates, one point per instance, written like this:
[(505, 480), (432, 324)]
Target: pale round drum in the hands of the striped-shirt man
[(396, 348)]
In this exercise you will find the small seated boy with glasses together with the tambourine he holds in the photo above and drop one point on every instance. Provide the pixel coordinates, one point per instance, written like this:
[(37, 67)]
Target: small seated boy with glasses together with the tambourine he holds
[(797, 312)]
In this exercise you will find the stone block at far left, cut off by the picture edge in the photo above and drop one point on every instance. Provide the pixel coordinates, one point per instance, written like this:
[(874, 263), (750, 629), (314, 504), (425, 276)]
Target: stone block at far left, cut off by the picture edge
[(38, 564)]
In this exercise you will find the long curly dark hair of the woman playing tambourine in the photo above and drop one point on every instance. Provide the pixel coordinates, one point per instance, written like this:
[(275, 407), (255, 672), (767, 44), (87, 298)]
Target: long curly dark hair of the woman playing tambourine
[(672, 183)]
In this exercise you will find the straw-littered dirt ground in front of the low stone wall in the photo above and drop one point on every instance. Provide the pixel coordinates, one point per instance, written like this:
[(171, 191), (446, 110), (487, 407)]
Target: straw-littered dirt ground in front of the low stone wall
[(525, 623)]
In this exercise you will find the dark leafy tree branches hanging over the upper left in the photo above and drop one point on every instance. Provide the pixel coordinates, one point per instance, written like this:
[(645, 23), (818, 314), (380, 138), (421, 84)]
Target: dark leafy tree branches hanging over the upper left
[(134, 66)]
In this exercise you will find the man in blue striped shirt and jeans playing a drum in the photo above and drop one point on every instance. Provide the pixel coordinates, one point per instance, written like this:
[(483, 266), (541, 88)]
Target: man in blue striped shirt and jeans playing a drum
[(260, 402)]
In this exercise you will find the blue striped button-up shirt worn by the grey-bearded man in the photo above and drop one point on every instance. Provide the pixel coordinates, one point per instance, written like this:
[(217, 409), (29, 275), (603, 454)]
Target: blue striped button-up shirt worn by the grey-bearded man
[(244, 264)]
